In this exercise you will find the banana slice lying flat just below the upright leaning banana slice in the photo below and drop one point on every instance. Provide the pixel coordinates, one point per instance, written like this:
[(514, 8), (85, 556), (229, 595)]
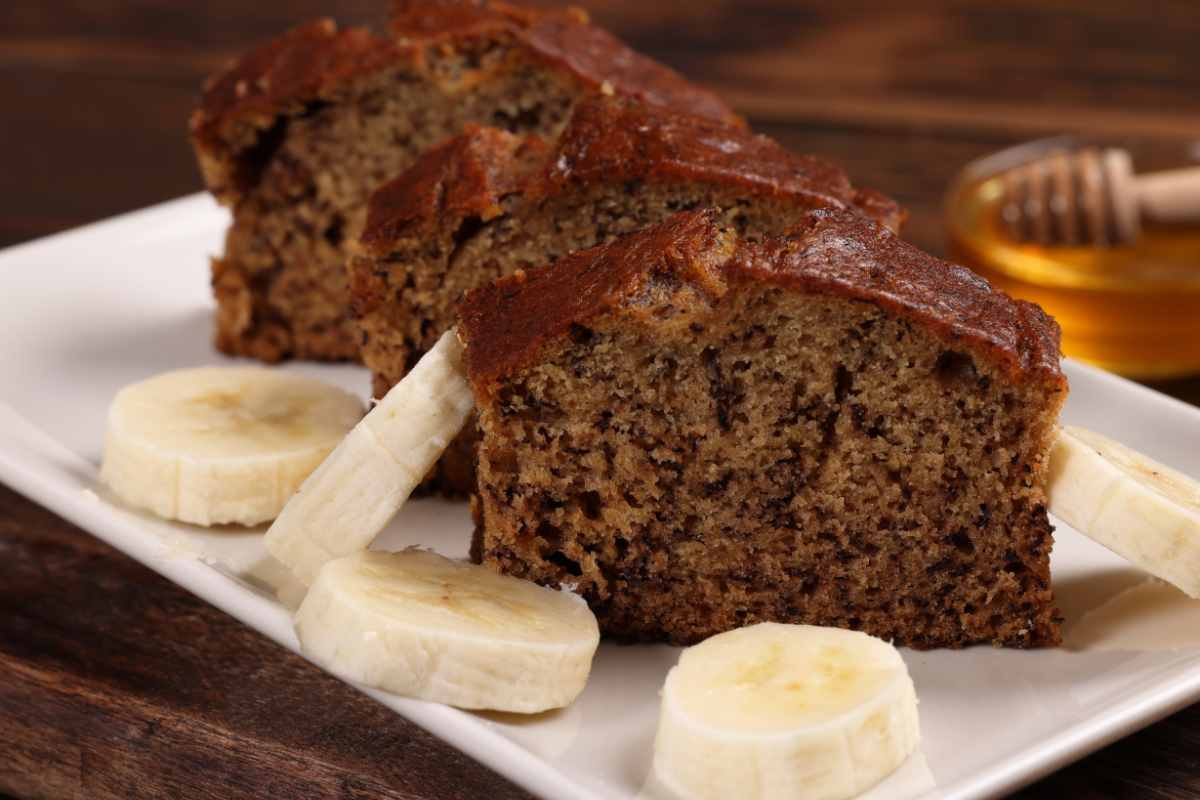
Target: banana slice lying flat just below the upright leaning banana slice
[(418, 624)]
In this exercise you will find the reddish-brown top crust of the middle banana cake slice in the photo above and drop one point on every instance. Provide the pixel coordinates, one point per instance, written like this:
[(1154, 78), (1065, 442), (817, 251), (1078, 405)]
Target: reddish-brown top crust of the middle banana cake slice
[(613, 141)]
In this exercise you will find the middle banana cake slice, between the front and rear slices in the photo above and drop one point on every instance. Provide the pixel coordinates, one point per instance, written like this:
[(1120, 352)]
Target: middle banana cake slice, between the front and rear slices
[(489, 202)]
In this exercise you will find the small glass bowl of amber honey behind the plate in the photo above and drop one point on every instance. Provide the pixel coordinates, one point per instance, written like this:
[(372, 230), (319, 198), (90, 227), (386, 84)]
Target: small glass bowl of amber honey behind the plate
[(1132, 309)]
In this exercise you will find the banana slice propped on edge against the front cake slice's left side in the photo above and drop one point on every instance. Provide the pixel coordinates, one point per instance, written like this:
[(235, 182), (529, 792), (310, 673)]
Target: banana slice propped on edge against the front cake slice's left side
[(358, 490)]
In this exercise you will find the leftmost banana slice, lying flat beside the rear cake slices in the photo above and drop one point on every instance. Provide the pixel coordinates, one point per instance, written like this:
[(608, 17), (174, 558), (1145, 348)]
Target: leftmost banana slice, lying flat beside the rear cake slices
[(217, 446)]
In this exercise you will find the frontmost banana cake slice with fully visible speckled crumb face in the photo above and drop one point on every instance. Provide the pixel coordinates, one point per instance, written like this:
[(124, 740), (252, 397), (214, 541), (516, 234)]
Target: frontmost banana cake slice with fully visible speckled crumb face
[(698, 431)]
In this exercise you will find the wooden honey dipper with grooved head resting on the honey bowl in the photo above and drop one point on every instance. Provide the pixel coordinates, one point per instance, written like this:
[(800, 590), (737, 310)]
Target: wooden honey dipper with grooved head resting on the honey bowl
[(1093, 197)]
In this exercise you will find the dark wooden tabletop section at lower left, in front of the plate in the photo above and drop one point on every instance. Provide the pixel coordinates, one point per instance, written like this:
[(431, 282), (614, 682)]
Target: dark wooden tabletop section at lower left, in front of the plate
[(115, 683)]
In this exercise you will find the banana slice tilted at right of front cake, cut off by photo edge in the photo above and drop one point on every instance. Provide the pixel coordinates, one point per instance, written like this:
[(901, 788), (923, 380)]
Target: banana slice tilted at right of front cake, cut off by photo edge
[(1139, 509)]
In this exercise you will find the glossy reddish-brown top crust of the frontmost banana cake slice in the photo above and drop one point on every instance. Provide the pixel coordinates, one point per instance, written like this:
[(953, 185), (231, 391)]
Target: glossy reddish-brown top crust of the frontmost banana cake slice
[(508, 323)]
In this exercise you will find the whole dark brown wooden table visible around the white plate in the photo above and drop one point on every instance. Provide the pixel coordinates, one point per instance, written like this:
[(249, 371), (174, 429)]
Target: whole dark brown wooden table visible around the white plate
[(115, 683)]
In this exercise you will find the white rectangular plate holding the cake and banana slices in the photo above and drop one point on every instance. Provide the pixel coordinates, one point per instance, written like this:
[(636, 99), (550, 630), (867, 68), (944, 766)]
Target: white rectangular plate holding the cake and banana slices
[(93, 310)]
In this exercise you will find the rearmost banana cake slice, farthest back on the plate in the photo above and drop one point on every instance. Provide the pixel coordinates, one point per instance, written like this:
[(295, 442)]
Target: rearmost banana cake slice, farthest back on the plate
[(295, 137)]
